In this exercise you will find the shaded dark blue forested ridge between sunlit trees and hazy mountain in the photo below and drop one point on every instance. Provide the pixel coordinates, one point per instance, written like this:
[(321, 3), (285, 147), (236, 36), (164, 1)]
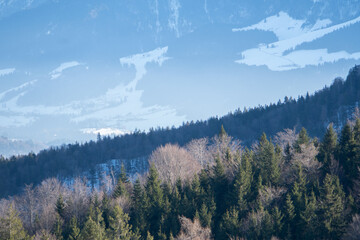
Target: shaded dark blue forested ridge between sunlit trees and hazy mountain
[(314, 112)]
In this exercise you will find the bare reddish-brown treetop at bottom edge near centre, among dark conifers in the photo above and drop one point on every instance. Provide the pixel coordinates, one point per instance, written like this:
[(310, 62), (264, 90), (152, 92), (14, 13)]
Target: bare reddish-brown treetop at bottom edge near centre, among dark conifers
[(193, 230)]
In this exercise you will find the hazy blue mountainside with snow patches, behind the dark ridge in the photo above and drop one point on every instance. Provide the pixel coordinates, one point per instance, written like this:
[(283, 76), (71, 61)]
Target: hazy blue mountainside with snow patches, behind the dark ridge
[(70, 69)]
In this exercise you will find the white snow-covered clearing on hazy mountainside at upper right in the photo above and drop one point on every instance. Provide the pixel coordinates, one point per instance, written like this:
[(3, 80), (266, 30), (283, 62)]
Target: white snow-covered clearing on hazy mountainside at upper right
[(291, 34)]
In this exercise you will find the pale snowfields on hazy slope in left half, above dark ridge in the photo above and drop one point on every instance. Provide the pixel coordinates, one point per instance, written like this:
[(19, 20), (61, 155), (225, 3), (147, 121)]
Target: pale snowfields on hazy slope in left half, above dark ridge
[(120, 107)]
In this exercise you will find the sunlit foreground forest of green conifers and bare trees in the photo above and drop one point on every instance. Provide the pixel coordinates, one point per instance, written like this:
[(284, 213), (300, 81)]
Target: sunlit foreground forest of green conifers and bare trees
[(292, 187)]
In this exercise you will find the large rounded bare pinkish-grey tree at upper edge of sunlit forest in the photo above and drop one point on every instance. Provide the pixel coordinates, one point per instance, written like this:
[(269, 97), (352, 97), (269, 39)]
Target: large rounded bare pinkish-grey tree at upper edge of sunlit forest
[(173, 162)]
